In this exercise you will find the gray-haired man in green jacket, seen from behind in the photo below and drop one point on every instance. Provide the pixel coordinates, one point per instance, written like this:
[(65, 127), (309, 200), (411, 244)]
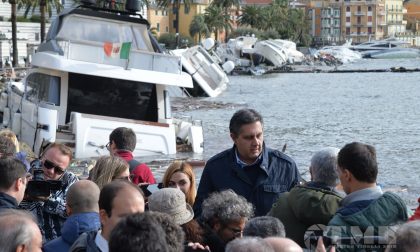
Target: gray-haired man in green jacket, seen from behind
[(312, 203)]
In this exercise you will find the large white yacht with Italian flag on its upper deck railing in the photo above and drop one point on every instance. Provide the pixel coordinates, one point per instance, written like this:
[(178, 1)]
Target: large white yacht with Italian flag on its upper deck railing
[(78, 92)]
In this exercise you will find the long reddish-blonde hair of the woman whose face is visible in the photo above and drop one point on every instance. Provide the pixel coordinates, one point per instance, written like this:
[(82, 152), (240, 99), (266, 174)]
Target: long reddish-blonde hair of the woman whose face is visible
[(185, 168)]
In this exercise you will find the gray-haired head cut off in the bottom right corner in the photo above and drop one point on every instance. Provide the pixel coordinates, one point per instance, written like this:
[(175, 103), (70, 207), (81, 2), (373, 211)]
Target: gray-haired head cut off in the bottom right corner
[(406, 239)]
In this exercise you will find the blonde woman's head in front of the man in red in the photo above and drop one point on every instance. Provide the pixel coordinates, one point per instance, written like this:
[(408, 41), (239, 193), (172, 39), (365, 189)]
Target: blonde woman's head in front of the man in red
[(109, 168)]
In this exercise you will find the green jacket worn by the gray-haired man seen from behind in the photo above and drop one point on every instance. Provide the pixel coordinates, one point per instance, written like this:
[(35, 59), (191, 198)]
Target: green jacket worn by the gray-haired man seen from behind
[(303, 207)]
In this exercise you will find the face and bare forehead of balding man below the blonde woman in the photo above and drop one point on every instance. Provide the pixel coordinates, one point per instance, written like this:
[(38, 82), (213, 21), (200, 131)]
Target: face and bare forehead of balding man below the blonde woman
[(127, 201)]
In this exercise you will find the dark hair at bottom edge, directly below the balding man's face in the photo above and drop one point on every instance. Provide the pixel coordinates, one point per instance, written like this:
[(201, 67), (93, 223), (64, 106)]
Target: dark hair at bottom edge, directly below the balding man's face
[(138, 232)]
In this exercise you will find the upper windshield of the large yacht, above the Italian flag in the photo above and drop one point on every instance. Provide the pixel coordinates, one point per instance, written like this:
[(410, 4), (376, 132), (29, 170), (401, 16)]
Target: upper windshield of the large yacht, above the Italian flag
[(104, 30)]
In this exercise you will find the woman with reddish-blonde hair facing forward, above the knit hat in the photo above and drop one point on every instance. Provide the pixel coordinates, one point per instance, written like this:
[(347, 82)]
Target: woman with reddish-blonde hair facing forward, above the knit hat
[(181, 175)]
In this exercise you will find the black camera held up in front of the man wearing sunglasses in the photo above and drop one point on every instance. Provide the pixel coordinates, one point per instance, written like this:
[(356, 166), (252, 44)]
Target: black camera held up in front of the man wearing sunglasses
[(38, 186)]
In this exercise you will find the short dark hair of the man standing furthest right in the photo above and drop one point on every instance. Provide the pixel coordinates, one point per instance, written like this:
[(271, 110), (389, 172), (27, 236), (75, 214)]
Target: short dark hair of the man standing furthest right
[(360, 160)]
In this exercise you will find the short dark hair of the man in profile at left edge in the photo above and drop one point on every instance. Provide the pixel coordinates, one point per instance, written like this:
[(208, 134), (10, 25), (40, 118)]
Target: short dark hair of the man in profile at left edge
[(10, 170)]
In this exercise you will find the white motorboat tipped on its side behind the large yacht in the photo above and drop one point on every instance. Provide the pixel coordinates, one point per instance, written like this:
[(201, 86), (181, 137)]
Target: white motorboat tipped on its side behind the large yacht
[(209, 78)]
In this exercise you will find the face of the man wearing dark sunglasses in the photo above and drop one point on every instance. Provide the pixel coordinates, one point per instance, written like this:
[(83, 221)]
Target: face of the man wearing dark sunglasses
[(54, 164)]
